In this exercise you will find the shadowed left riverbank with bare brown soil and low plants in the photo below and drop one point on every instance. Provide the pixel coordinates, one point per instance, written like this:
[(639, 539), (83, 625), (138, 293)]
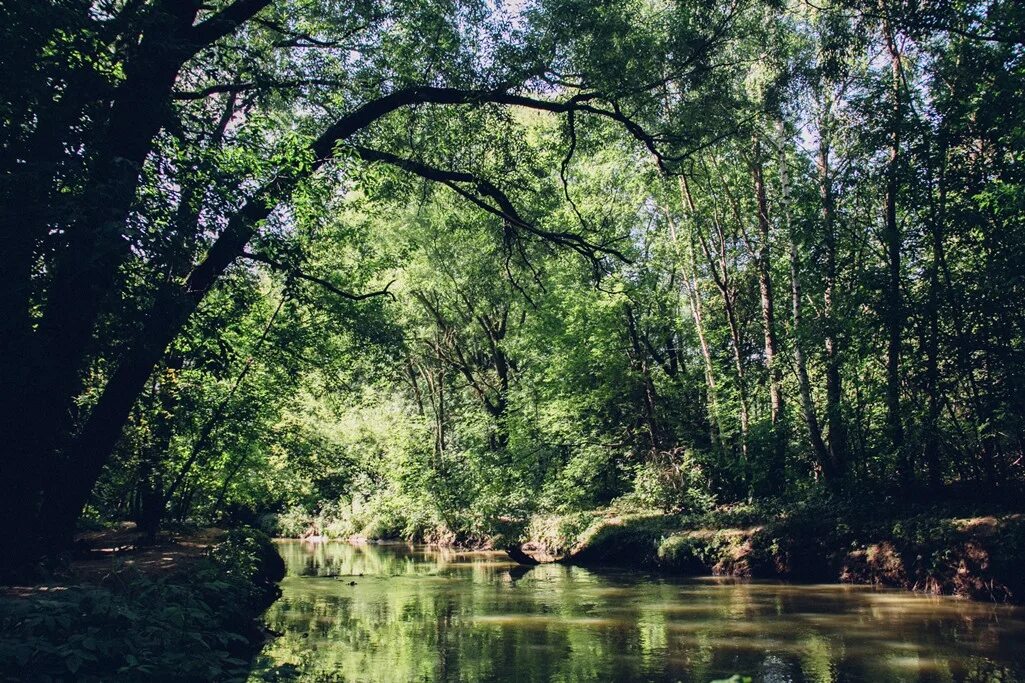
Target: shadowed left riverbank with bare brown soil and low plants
[(183, 610)]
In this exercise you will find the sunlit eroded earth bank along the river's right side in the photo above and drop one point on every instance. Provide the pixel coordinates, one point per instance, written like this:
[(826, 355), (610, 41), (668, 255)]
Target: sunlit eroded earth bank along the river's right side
[(980, 557)]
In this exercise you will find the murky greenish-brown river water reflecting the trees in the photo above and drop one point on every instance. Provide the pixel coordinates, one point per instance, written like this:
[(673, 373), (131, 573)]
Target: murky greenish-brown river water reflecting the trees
[(418, 615)]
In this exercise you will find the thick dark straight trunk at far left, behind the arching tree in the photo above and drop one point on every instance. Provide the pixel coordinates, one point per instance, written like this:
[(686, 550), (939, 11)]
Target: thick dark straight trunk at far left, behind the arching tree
[(97, 247)]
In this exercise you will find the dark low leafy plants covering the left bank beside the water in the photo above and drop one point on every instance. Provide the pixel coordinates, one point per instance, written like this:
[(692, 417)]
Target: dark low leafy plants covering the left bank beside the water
[(189, 627)]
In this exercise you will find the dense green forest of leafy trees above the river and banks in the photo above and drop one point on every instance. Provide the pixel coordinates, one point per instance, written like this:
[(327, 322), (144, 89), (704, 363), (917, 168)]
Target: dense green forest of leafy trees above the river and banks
[(427, 269)]
